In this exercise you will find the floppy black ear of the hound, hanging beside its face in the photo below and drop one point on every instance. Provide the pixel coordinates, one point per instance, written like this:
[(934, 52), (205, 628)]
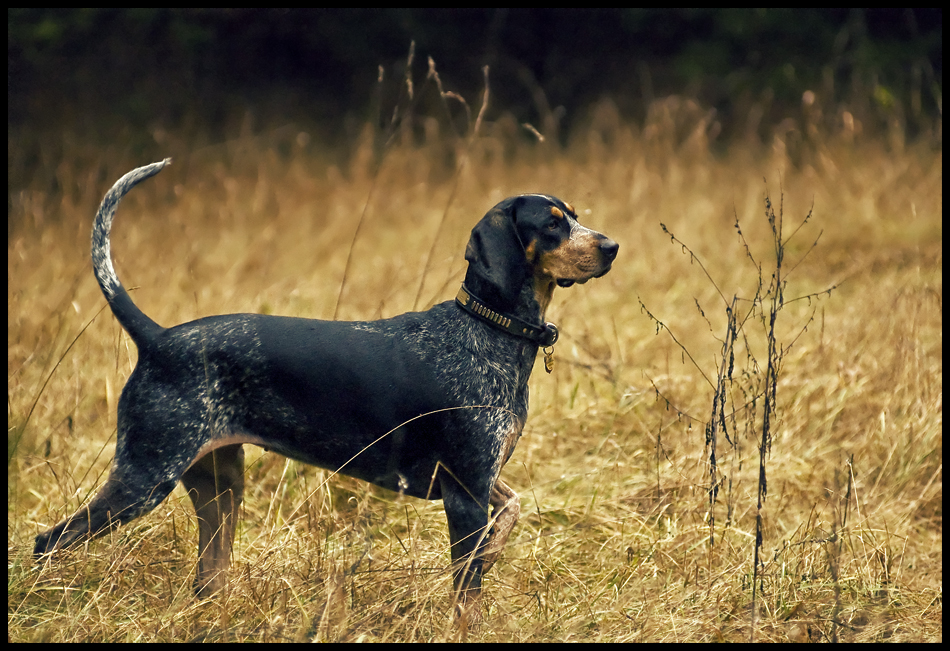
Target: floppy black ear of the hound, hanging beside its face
[(496, 255)]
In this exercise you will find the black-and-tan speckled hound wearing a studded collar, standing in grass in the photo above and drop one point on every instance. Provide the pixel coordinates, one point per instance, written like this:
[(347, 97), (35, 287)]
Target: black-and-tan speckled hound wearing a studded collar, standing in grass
[(430, 404)]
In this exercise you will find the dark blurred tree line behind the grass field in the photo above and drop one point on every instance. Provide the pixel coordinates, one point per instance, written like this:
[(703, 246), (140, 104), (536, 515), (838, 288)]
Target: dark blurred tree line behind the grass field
[(139, 66)]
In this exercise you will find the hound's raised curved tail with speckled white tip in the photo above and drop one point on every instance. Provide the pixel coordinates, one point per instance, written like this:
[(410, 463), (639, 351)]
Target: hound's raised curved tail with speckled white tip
[(136, 323)]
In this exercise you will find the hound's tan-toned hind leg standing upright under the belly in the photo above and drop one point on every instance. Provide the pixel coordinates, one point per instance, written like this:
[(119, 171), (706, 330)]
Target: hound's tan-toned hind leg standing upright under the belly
[(215, 484)]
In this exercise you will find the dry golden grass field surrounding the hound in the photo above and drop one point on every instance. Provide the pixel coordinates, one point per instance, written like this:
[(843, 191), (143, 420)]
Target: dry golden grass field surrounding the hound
[(613, 540)]
